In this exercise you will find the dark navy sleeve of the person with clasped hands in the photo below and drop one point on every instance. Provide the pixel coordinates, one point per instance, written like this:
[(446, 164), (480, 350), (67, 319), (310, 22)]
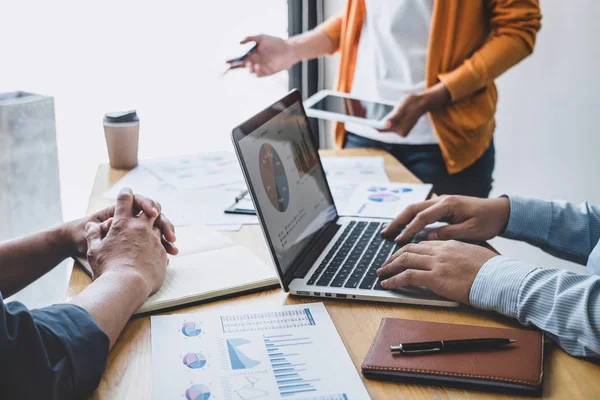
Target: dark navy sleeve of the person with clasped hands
[(58, 352)]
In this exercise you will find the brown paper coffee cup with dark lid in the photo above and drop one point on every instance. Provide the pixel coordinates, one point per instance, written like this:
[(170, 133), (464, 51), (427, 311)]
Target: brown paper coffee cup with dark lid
[(122, 132)]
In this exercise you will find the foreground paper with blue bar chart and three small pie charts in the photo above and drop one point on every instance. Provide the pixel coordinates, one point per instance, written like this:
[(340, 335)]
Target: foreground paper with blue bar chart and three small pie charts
[(289, 352)]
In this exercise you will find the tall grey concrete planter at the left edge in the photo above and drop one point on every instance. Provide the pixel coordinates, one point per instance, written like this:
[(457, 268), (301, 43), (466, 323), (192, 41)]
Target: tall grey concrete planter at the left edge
[(29, 178)]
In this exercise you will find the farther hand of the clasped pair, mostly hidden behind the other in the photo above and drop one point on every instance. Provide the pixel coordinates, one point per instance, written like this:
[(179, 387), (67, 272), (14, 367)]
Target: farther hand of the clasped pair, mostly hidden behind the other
[(77, 234)]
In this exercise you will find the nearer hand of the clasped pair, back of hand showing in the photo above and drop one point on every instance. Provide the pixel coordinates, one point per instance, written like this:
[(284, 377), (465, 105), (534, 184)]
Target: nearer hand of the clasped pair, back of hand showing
[(129, 243)]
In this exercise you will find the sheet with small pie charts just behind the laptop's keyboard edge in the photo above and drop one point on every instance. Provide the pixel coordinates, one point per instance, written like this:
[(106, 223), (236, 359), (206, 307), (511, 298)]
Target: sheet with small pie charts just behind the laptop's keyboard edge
[(377, 200)]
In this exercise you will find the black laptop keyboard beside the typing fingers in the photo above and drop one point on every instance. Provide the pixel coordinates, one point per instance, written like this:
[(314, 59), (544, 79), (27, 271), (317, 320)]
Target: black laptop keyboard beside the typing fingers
[(353, 260)]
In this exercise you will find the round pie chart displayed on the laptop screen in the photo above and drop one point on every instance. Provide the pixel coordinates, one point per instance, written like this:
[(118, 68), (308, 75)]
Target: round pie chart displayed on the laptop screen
[(273, 177)]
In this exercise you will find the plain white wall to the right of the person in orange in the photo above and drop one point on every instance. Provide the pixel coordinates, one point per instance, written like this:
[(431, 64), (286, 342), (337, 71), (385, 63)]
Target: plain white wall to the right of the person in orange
[(548, 139)]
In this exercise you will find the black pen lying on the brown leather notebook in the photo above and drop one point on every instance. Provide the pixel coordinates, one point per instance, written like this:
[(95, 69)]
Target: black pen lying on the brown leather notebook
[(450, 345)]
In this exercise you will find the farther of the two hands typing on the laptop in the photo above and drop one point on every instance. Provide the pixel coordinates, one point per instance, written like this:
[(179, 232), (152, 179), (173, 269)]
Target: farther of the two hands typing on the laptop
[(469, 218)]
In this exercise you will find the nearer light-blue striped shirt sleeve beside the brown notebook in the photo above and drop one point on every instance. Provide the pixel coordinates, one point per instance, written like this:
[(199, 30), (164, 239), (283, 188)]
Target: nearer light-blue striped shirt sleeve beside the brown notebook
[(563, 304)]
